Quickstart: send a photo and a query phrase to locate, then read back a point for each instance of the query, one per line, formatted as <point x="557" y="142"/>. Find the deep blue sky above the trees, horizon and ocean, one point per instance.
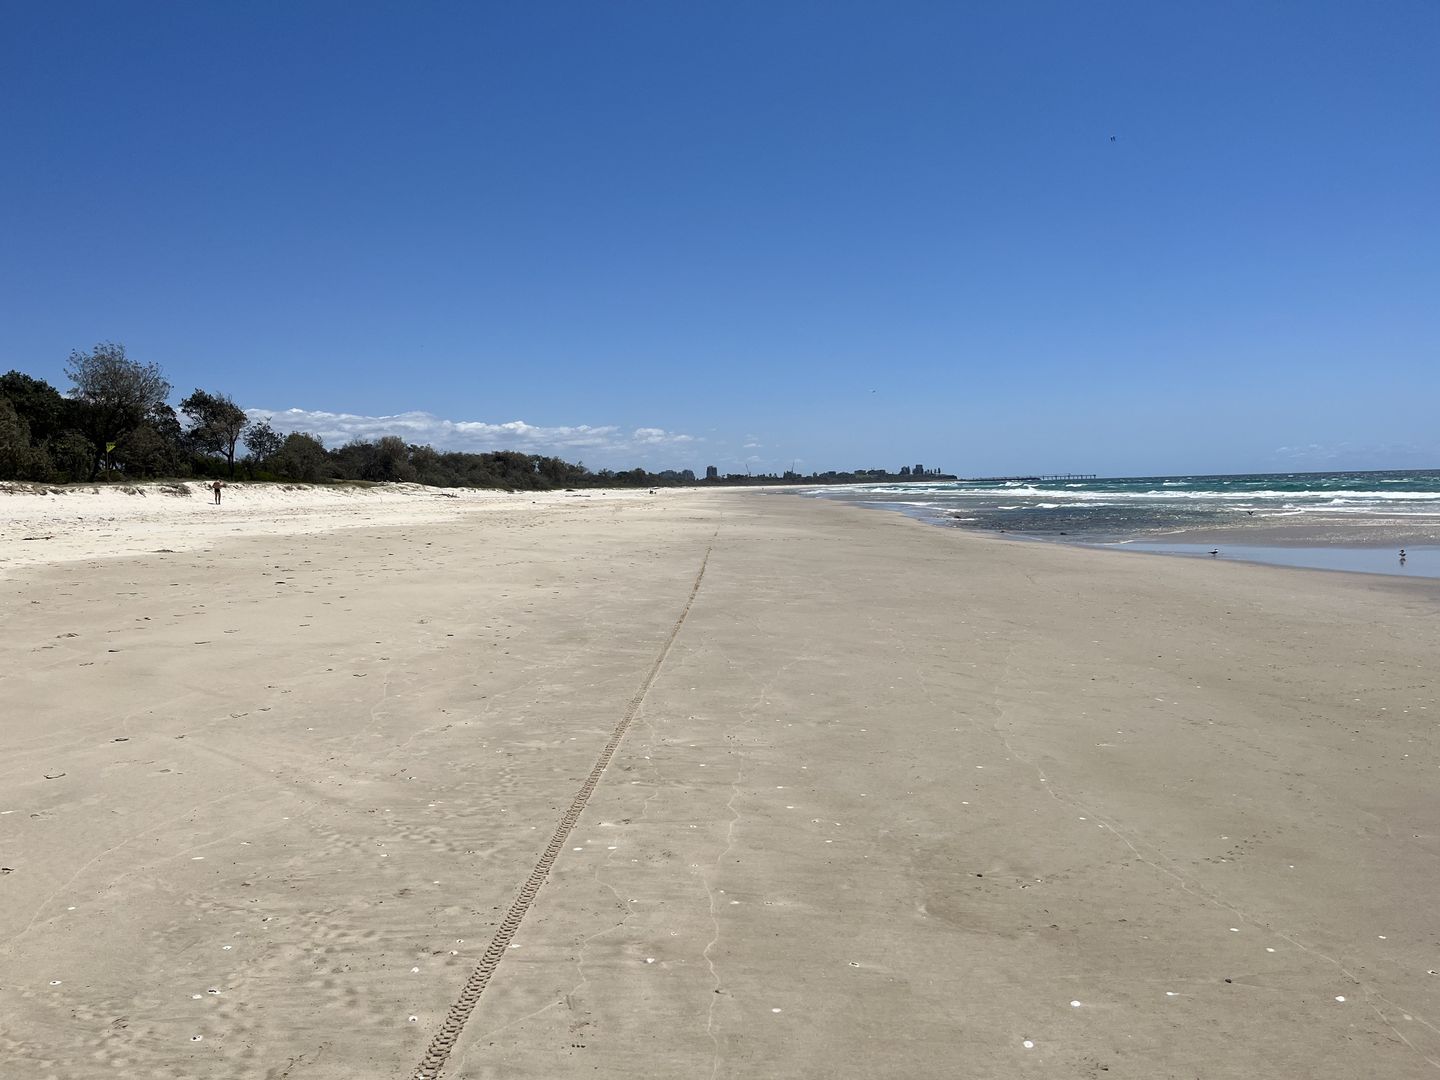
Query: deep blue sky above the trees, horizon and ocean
<point x="669" y="234"/>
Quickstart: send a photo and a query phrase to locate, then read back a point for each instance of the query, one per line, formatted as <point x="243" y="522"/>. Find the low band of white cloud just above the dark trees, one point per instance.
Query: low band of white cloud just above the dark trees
<point x="601" y="446"/>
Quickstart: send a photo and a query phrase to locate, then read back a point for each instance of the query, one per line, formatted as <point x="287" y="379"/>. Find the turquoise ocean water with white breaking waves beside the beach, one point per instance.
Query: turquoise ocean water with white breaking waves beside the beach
<point x="1264" y="510"/>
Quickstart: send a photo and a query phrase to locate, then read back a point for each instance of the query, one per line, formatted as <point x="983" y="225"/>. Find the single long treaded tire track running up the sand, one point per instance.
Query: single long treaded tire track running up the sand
<point x="446" y="1039"/>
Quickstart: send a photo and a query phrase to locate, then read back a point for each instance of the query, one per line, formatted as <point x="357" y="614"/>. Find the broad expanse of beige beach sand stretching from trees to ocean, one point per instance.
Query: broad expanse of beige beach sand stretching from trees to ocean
<point x="896" y="801"/>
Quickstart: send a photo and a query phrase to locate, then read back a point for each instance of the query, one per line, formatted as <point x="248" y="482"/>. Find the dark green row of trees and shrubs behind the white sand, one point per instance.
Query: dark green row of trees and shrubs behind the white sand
<point x="116" y="423"/>
